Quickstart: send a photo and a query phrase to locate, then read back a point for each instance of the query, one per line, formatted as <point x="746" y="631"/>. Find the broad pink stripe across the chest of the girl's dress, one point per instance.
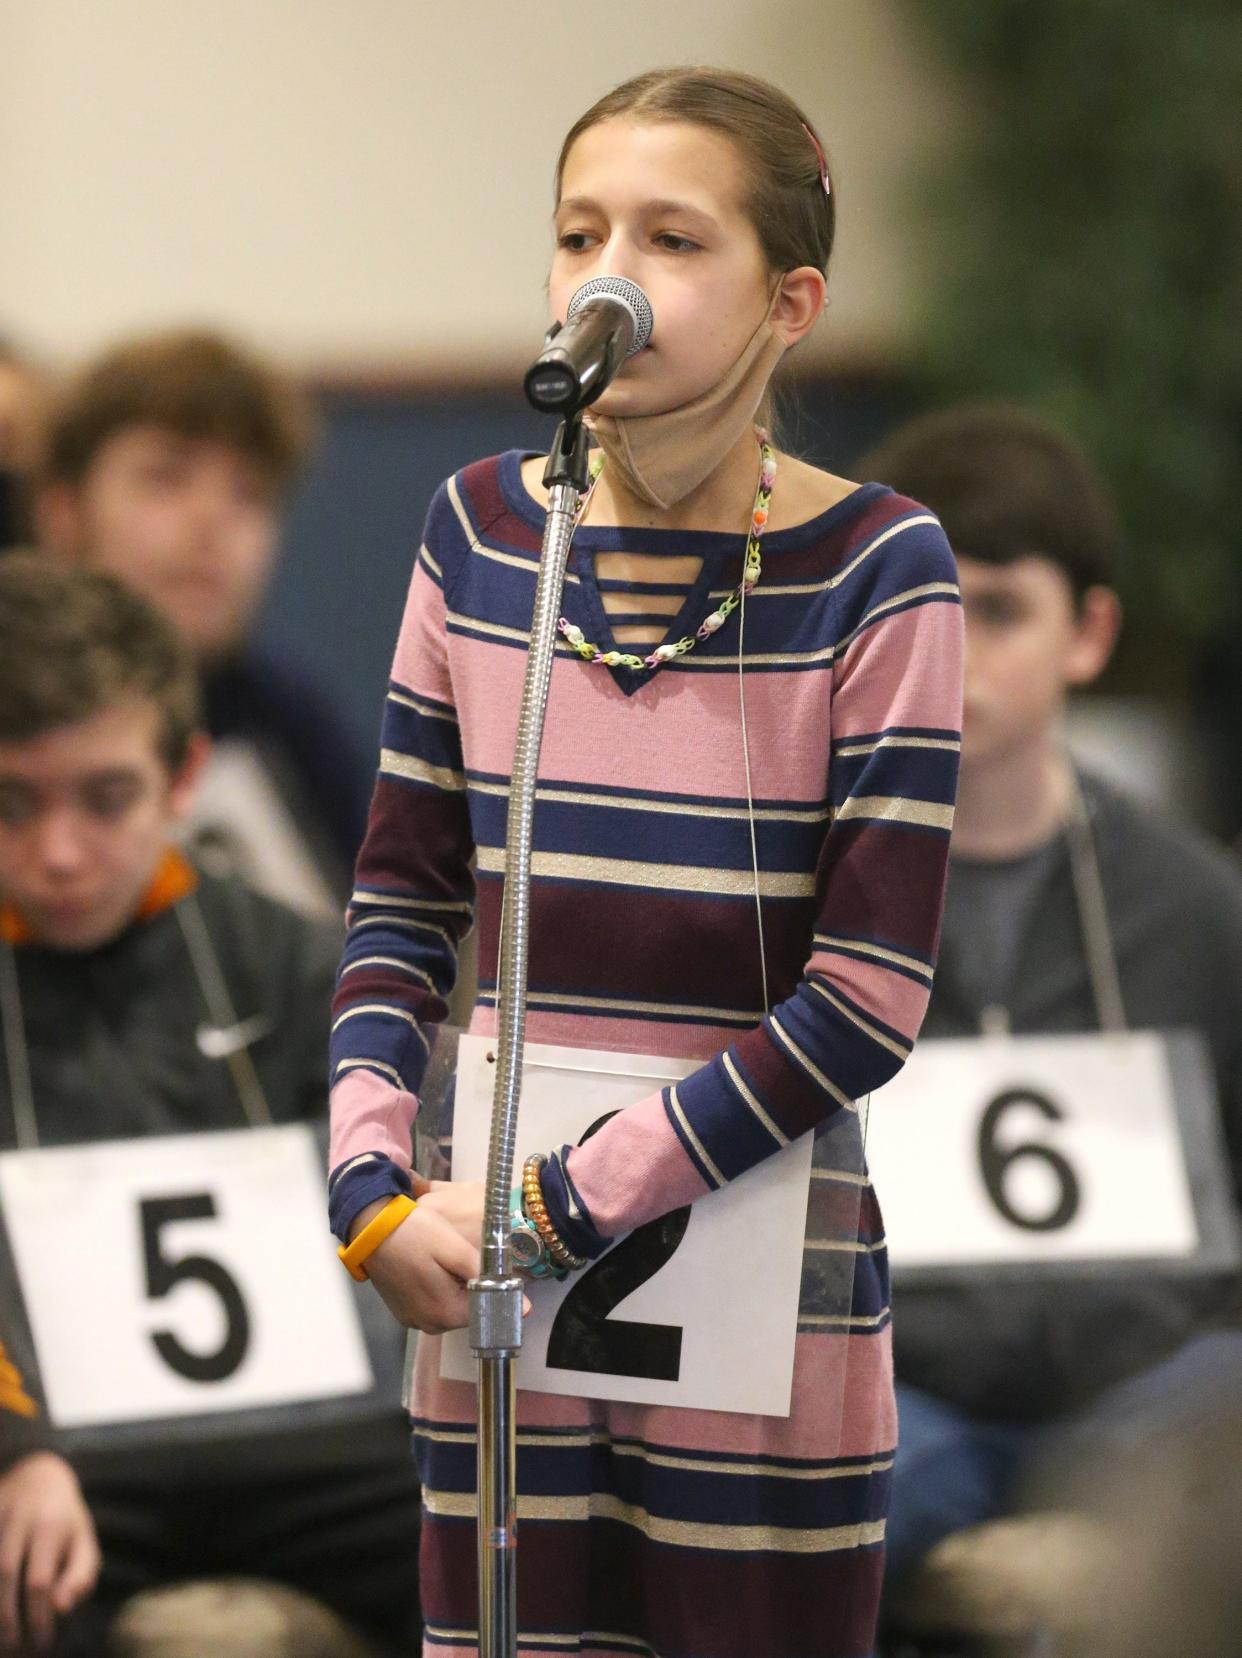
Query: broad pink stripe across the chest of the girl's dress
<point x="682" y="730"/>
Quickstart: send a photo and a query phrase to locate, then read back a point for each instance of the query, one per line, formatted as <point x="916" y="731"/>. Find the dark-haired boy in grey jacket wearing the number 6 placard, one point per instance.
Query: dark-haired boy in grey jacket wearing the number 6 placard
<point x="1065" y="899"/>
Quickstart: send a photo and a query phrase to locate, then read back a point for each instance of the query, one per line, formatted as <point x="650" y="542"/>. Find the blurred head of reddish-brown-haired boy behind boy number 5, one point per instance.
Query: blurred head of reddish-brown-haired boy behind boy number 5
<point x="167" y="465"/>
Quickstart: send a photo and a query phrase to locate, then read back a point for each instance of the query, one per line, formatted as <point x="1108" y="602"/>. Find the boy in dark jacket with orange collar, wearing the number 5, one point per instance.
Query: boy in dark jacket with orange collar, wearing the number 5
<point x="143" y="997"/>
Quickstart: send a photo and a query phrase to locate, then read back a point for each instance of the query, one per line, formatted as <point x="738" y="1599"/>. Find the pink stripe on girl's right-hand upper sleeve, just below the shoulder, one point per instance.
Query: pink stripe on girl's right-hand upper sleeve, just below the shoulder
<point x="903" y="672"/>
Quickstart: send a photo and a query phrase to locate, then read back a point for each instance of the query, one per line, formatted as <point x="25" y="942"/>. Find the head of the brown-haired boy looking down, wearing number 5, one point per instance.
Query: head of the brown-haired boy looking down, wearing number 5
<point x="99" y="750"/>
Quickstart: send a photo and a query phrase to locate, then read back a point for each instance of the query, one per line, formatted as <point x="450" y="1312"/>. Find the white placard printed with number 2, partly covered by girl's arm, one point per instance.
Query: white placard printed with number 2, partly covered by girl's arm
<point x="699" y="1309"/>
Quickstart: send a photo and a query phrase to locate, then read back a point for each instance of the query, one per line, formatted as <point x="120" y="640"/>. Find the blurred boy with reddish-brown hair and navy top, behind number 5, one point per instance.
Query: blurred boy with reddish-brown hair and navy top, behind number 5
<point x="167" y="465"/>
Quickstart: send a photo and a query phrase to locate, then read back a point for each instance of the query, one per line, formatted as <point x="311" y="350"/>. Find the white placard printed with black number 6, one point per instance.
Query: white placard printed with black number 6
<point x="1037" y="1148"/>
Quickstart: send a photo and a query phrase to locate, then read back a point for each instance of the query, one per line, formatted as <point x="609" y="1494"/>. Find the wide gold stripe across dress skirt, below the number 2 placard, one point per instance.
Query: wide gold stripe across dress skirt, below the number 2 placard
<point x="687" y="1534"/>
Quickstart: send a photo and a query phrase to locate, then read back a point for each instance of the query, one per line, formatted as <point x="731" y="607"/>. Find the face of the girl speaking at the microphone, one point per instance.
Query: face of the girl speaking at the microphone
<point x="662" y="203"/>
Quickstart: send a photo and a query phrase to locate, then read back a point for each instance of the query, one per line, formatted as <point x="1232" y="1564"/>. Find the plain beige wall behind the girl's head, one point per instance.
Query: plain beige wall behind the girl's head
<point x="366" y="183"/>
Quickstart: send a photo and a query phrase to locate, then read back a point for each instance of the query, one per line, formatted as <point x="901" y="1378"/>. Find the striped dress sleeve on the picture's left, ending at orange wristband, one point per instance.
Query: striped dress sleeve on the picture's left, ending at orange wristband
<point x="410" y="908"/>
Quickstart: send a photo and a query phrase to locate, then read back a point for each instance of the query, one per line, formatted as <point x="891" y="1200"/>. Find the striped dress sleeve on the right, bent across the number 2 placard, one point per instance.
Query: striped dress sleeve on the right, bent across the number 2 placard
<point x="880" y="890"/>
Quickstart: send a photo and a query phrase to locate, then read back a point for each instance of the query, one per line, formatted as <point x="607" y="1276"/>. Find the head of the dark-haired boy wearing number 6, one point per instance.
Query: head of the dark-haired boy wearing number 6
<point x="1036" y="538"/>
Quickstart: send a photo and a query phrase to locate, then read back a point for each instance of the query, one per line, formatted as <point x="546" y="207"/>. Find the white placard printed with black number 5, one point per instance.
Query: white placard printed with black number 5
<point x="182" y="1276"/>
